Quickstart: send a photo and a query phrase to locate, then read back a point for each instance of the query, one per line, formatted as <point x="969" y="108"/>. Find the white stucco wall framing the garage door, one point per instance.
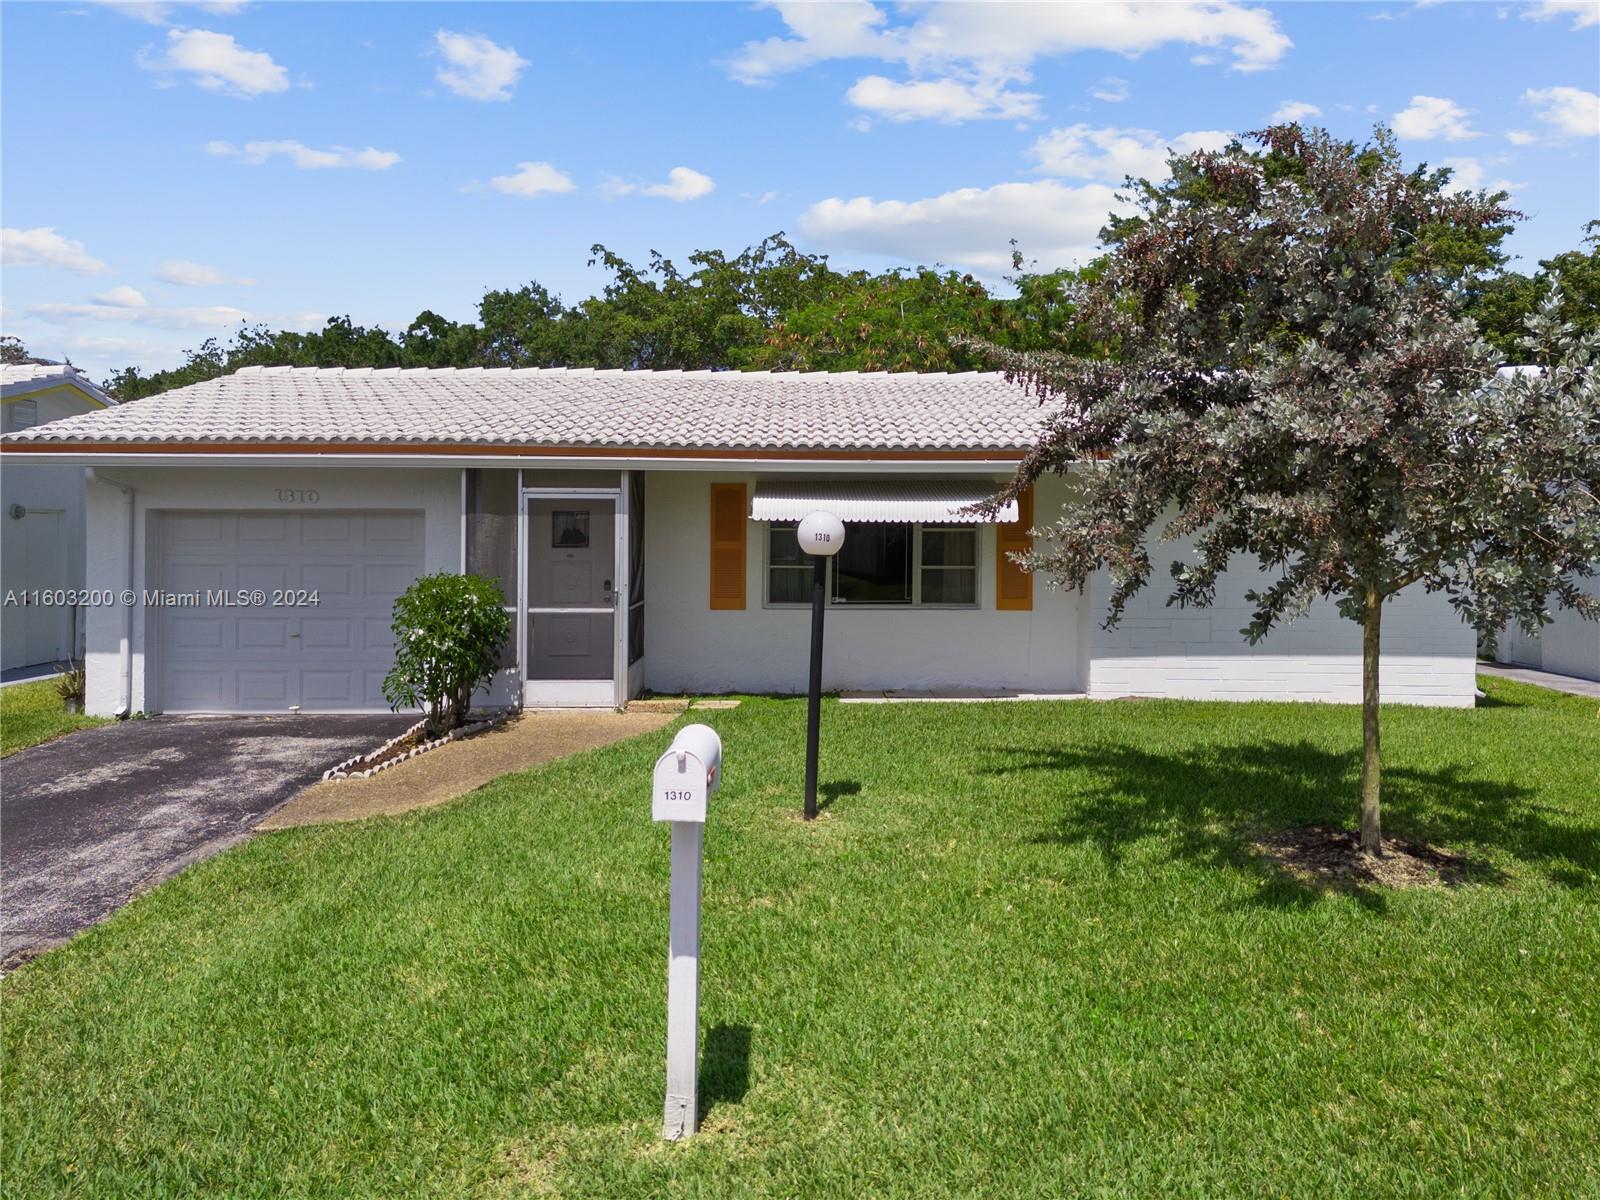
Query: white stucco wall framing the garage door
<point x="158" y="490"/>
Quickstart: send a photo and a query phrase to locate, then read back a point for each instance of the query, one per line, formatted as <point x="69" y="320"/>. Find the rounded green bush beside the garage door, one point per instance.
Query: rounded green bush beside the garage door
<point x="449" y="638"/>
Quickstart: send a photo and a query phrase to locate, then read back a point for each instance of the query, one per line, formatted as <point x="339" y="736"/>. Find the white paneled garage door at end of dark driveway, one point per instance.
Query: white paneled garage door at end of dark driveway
<point x="324" y="657"/>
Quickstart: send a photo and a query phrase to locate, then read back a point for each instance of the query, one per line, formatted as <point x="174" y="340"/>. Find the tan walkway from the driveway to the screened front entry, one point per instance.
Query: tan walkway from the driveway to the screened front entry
<point x="462" y="767"/>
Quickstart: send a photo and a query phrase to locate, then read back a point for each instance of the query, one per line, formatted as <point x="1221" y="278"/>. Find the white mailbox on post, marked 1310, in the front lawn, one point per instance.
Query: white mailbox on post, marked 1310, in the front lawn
<point x="686" y="778"/>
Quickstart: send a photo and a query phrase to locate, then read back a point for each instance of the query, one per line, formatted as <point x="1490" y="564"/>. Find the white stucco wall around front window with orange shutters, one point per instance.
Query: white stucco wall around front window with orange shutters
<point x="692" y="649"/>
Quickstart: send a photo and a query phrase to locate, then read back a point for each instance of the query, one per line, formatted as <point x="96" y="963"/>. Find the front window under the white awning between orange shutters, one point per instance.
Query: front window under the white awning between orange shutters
<point x="881" y="564"/>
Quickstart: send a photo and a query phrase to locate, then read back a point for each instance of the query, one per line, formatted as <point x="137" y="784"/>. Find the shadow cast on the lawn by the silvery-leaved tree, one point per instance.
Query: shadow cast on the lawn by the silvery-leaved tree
<point x="1215" y="801"/>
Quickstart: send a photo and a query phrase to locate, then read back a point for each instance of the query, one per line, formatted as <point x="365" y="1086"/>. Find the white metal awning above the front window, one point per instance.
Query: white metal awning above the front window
<point x="927" y="502"/>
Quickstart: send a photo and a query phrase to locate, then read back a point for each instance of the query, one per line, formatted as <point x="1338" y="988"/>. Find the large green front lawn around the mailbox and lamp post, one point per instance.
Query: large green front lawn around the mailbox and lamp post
<point x="1026" y="951"/>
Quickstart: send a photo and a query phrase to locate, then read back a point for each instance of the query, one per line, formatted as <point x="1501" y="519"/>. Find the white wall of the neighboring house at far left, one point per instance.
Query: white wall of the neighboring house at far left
<point x="52" y="495"/>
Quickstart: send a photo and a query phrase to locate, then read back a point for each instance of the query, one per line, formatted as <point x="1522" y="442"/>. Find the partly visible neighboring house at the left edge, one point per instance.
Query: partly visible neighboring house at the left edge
<point x="41" y="516"/>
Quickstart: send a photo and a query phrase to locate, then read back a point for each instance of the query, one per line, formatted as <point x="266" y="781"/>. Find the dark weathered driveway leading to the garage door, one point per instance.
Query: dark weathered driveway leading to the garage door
<point x="94" y="817"/>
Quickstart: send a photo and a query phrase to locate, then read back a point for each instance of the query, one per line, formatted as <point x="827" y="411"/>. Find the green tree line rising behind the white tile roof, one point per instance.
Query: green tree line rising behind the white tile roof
<point x="778" y="308"/>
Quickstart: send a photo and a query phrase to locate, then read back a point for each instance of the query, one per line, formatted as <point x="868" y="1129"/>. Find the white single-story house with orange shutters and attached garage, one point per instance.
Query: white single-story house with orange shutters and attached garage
<point x="642" y="529"/>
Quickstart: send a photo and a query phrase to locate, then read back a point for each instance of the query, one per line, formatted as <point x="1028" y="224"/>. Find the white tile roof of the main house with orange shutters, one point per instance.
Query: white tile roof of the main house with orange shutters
<point x="580" y="409"/>
